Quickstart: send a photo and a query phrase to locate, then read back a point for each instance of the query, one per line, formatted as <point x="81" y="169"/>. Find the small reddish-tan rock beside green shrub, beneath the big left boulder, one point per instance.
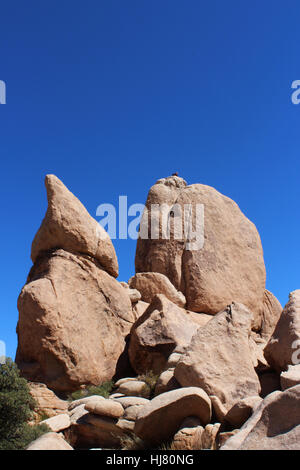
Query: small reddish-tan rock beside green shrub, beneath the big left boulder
<point x="46" y="400"/>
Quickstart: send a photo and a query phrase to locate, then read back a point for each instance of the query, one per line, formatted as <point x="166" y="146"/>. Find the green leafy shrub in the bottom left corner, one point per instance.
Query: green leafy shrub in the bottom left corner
<point x="16" y="406"/>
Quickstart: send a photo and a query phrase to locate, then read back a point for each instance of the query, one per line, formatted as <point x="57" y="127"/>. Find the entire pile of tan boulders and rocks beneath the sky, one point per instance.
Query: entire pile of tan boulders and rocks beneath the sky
<point x="225" y="353"/>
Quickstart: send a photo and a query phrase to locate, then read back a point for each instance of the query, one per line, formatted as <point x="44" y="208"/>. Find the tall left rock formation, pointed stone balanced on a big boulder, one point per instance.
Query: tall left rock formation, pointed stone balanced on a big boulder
<point x="73" y="315"/>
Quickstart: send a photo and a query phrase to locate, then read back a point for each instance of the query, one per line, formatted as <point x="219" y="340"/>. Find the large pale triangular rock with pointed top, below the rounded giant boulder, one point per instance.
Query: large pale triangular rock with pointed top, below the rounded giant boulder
<point x="218" y="360"/>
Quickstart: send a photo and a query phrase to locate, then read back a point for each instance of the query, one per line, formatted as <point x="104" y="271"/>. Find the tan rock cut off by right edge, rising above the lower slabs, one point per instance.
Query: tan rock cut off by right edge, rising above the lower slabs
<point x="283" y="349"/>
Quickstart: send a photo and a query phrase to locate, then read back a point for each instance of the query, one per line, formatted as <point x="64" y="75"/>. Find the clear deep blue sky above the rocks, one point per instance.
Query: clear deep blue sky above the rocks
<point x="112" y="95"/>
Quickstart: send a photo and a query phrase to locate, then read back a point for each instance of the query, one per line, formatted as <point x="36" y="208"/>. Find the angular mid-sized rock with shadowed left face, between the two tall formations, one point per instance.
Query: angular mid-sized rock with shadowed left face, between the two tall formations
<point x="163" y="327"/>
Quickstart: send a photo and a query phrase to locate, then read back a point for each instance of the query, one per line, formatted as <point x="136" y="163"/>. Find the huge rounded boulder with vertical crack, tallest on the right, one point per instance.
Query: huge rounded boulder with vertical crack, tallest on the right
<point x="228" y="266"/>
